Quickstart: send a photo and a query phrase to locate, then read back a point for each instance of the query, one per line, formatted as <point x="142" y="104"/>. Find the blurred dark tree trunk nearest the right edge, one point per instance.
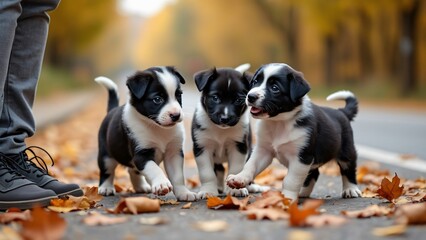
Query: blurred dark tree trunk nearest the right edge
<point x="408" y="44"/>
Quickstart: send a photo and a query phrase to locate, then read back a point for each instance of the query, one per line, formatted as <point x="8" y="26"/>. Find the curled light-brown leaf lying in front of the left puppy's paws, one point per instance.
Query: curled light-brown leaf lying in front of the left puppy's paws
<point x="136" y="205"/>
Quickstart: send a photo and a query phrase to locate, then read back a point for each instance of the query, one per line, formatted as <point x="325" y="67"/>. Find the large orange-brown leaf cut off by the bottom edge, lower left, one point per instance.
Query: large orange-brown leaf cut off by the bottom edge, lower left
<point x="43" y="225"/>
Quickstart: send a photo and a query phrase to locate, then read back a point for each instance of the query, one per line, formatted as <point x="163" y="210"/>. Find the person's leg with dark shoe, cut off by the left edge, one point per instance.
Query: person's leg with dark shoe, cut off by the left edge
<point x="15" y="190"/>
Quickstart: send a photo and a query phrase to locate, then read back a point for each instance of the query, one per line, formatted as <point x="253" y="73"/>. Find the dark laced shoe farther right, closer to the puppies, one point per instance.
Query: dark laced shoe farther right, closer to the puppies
<point x="39" y="175"/>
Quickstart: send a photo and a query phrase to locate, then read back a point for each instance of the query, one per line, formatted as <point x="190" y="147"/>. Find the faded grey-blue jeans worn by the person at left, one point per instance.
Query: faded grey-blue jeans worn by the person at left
<point x="23" y="33"/>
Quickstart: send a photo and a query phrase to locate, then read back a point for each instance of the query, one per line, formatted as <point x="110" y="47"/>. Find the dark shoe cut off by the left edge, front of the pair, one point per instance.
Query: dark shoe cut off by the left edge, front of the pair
<point x="18" y="192"/>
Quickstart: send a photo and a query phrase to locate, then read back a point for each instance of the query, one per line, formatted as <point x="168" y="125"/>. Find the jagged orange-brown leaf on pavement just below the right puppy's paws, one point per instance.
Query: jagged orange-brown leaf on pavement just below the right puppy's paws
<point x="298" y="216"/>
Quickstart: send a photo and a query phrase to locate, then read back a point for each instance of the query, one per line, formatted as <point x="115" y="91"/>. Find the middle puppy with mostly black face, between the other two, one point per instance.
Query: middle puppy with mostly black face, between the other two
<point x="221" y="128"/>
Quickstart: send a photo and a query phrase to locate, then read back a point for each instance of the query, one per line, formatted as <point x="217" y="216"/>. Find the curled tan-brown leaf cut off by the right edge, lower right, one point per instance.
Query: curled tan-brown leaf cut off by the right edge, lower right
<point x="411" y="214"/>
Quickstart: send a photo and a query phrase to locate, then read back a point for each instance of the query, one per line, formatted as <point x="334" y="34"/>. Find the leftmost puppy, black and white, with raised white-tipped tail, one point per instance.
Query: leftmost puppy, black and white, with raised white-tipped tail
<point x="143" y="132"/>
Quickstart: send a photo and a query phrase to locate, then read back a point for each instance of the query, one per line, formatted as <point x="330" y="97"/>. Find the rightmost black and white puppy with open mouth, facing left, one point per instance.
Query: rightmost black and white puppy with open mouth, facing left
<point x="300" y="134"/>
